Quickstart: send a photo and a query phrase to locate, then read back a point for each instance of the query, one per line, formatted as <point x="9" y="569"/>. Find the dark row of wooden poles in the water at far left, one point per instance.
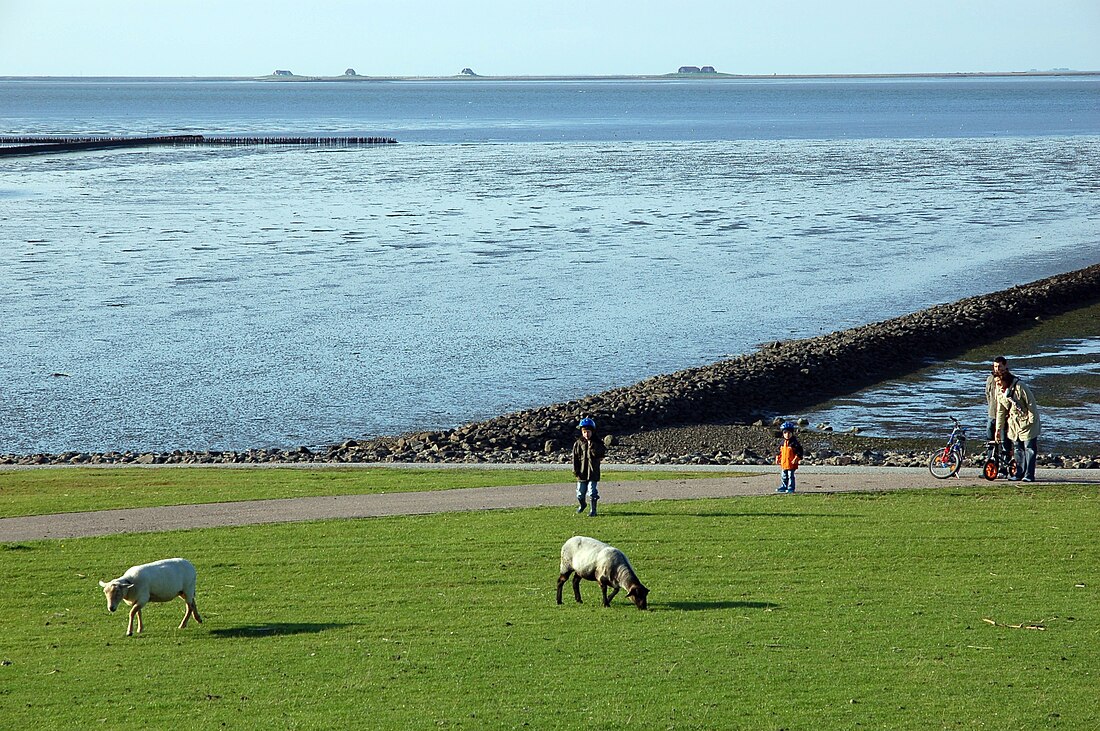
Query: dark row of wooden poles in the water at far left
<point x="34" y="146"/>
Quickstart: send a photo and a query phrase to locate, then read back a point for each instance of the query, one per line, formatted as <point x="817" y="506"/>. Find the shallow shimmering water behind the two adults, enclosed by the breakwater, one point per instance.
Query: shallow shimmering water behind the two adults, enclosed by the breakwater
<point x="1064" y="374"/>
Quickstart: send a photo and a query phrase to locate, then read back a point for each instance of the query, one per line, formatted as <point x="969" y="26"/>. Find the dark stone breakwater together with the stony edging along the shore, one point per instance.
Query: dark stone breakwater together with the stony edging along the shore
<point x="783" y="378"/>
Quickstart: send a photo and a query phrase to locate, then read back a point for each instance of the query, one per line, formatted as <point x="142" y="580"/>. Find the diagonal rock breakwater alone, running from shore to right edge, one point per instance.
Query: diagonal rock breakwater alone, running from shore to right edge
<point x="782" y="378"/>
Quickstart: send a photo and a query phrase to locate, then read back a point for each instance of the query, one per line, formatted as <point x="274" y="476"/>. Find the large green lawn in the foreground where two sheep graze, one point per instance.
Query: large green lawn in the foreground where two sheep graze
<point x="813" y="612"/>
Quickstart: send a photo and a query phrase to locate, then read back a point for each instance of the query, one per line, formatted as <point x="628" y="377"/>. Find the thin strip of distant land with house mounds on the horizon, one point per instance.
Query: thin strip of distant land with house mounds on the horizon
<point x="718" y="76"/>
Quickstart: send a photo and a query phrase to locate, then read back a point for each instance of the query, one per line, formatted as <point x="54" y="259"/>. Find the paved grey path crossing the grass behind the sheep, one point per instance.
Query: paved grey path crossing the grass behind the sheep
<point x="221" y="515"/>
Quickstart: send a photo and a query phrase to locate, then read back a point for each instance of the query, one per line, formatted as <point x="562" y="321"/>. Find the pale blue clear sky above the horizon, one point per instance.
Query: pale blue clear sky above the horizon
<point x="564" y="38"/>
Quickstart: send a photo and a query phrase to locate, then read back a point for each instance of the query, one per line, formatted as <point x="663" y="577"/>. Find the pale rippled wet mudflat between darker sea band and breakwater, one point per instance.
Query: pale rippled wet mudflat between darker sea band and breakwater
<point x="194" y="298"/>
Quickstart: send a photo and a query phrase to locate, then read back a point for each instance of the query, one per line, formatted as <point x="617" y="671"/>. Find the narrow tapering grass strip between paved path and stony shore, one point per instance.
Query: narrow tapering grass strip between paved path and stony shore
<point x="46" y="492"/>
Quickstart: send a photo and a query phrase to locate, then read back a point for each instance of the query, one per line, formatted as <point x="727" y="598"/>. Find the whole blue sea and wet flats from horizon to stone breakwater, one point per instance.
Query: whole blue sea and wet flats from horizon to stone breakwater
<point x="524" y="243"/>
